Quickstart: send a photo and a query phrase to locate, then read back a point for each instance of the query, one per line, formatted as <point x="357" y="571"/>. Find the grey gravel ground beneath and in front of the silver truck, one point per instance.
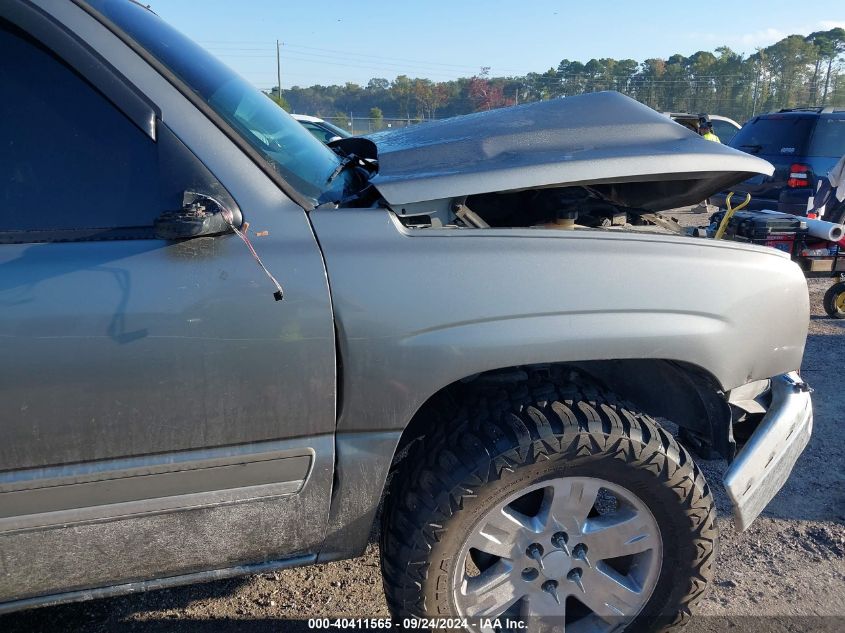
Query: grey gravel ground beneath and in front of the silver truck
<point x="786" y="573"/>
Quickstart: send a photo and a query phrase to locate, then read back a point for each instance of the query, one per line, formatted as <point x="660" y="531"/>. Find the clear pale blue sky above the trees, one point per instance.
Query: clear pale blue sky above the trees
<point x="332" y="42"/>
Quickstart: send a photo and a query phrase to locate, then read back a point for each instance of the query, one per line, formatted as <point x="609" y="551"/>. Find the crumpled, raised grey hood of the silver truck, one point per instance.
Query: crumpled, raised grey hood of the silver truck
<point x="620" y="148"/>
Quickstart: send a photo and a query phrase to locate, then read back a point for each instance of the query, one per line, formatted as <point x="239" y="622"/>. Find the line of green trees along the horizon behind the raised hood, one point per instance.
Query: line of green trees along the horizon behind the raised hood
<point x="797" y="71"/>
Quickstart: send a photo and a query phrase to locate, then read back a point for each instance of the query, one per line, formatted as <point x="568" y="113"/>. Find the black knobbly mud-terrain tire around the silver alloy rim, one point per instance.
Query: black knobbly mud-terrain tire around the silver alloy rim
<point x="504" y="438"/>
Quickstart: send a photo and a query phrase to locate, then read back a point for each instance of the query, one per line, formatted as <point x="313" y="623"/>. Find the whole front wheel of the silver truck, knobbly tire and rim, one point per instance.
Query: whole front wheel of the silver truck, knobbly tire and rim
<point x="555" y="506"/>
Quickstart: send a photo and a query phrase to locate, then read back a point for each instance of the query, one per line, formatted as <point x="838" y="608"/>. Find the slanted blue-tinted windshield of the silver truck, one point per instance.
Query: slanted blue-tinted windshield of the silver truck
<point x="304" y="162"/>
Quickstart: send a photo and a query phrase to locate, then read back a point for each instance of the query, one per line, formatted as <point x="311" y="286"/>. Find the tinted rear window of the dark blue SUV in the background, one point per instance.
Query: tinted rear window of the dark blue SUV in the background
<point x="775" y="135"/>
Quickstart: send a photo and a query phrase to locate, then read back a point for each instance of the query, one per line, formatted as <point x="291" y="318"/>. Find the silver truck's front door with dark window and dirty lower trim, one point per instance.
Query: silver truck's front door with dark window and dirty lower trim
<point x="161" y="413"/>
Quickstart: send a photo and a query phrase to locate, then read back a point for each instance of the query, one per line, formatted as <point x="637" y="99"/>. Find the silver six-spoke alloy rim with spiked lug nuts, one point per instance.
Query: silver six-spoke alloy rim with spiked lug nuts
<point x="574" y="553"/>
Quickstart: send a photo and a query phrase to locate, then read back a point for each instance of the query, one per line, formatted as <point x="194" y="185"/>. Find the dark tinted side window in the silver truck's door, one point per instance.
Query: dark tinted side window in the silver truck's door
<point x="70" y="159"/>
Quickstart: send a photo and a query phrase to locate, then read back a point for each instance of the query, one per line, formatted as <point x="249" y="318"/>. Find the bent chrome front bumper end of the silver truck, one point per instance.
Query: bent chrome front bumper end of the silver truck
<point x="765" y="462"/>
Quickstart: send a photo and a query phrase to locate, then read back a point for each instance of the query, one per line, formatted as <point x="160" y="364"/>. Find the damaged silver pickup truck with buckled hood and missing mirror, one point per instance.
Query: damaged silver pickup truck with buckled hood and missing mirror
<point x="226" y="345"/>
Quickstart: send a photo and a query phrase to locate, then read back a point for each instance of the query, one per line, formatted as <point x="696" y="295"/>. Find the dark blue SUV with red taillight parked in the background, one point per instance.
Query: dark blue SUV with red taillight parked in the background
<point x="802" y="143"/>
